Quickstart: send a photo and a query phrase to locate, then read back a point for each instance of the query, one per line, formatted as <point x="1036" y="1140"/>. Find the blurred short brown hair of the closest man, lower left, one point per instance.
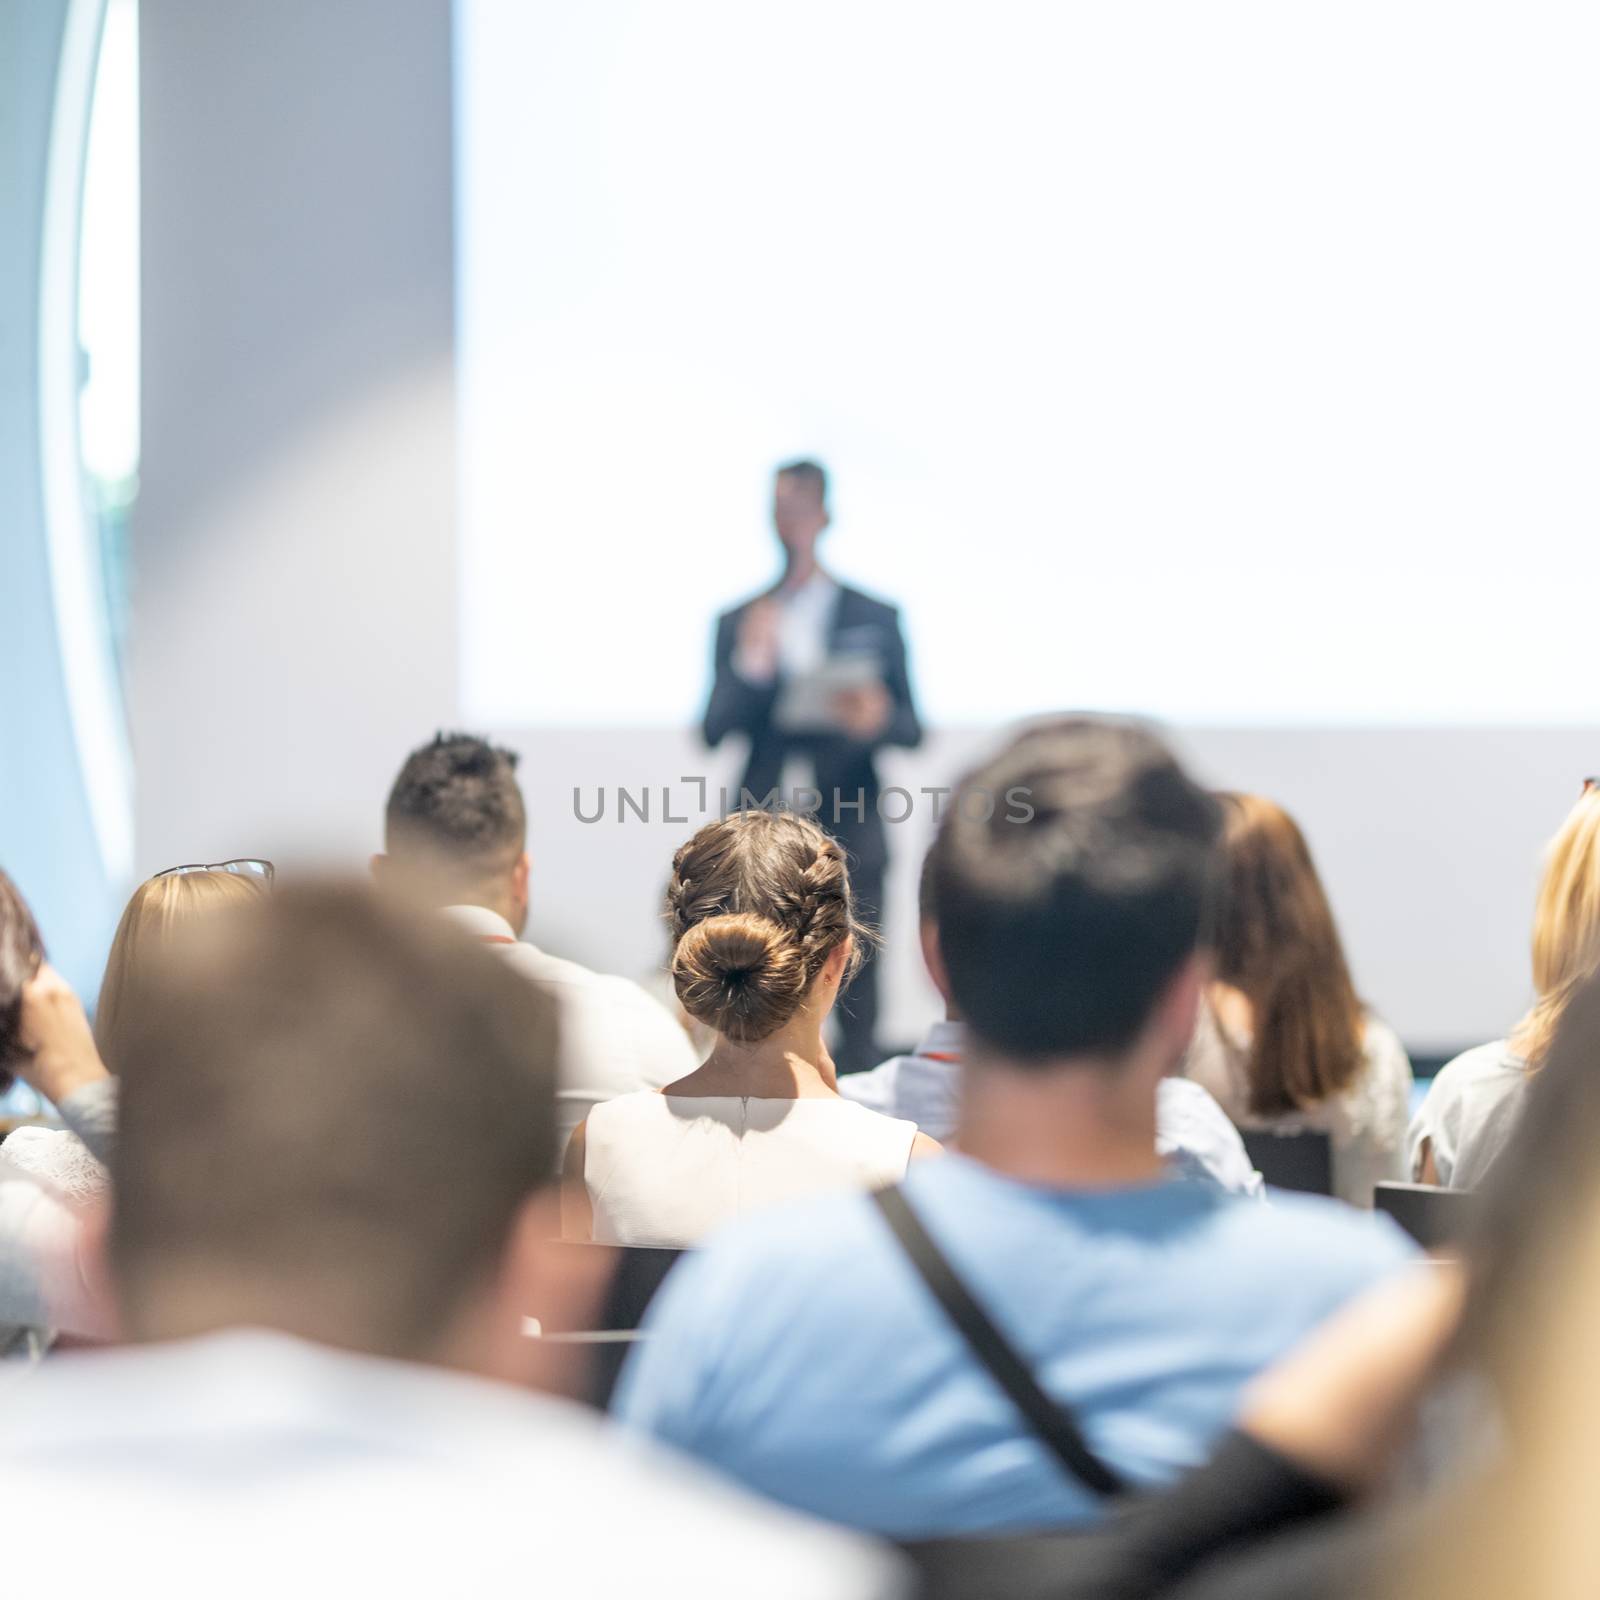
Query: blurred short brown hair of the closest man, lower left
<point x="332" y="1116"/>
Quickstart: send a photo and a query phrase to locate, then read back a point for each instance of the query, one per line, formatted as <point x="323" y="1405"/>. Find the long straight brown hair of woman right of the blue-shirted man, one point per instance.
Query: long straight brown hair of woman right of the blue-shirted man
<point x="1278" y="945"/>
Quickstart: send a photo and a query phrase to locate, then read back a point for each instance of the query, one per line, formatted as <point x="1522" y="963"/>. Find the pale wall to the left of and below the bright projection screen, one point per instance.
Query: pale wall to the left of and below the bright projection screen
<point x="295" y="625"/>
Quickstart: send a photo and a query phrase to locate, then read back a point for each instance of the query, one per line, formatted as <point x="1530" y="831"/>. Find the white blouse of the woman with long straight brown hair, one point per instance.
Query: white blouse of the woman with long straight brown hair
<point x="1366" y="1126"/>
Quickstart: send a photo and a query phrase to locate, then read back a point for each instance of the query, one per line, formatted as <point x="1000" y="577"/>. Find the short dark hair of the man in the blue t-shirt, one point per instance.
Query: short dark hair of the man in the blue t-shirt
<point x="1071" y="879"/>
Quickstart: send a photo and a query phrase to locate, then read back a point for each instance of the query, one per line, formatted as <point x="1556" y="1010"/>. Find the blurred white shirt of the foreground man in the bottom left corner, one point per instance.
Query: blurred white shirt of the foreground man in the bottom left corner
<point x="254" y="1463"/>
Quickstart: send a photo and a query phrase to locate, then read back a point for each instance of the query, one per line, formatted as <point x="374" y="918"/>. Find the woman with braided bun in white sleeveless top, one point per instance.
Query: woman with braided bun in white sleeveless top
<point x="764" y="937"/>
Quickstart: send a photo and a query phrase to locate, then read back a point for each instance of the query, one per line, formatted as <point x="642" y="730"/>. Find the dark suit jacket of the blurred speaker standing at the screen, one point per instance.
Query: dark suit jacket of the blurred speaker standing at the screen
<point x="844" y="766"/>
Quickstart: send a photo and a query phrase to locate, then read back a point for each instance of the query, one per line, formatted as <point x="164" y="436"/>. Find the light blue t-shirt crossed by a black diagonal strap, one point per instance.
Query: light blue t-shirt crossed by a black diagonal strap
<point x="804" y="1356"/>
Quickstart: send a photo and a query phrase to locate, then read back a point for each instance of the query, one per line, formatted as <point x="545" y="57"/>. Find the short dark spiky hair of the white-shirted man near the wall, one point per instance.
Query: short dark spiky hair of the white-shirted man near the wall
<point x="458" y="802"/>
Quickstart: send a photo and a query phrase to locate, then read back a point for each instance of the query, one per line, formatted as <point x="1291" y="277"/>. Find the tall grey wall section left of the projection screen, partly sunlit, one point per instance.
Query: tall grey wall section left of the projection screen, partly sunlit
<point x="294" y="540"/>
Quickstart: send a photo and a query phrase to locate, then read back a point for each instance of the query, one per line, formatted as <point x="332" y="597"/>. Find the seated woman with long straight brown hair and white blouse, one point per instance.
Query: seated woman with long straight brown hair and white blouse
<point x="1284" y="1042"/>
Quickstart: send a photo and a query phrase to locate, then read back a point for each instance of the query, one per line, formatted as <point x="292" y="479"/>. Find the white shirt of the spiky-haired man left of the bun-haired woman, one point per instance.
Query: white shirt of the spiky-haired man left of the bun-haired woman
<point x="615" y="1038"/>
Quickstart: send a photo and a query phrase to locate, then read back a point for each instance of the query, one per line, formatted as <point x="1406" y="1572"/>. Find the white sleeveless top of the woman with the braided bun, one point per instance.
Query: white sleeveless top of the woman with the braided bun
<point x="668" y="1169"/>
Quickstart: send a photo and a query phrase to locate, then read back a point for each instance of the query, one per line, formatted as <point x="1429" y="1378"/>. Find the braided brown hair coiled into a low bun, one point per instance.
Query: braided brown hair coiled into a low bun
<point x="758" y="903"/>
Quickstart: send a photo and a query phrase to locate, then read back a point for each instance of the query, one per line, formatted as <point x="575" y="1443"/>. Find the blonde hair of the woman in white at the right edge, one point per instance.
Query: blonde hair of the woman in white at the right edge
<point x="1566" y="927"/>
